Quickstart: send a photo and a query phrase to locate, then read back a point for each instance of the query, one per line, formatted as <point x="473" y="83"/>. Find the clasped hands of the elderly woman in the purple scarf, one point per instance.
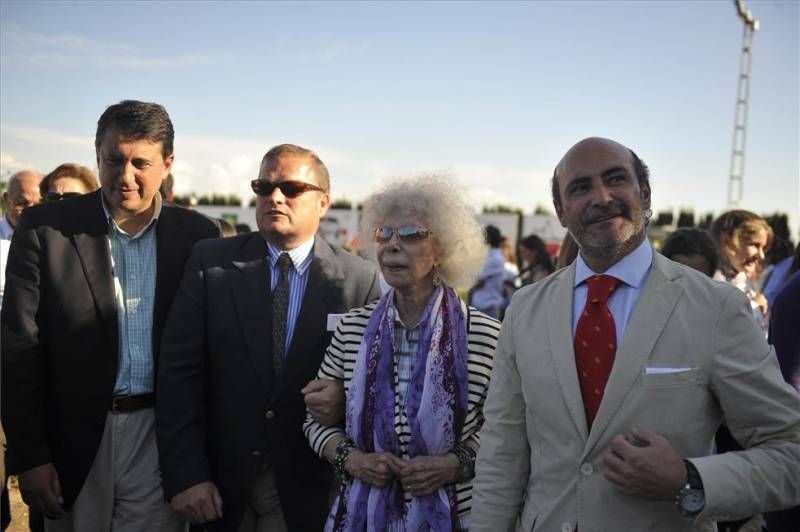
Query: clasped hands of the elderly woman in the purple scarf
<point x="421" y="475"/>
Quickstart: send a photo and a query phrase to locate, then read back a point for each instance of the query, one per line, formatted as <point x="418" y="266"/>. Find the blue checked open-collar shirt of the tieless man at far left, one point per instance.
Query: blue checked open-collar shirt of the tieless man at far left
<point x="133" y="262"/>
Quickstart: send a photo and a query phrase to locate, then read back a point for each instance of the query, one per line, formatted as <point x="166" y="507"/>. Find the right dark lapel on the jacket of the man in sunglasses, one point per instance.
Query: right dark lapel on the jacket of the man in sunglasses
<point x="323" y="290"/>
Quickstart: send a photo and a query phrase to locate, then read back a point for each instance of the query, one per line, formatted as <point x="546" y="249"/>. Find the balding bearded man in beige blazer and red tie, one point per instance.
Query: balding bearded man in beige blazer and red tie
<point x="569" y="445"/>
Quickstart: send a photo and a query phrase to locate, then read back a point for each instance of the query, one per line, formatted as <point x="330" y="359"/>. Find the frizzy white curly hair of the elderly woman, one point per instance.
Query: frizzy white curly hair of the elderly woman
<point x="440" y="203"/>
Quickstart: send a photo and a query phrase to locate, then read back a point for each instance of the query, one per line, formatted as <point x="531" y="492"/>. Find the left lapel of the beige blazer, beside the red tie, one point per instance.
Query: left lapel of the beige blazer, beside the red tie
<point x="562" y="351"/>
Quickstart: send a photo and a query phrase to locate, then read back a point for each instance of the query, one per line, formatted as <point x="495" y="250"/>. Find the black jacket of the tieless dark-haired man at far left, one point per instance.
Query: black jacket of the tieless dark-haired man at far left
<point x="59" y="329"/>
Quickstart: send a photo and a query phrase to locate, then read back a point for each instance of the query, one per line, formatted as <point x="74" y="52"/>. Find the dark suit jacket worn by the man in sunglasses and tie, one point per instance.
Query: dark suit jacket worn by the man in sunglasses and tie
<point x="221" y="410"/>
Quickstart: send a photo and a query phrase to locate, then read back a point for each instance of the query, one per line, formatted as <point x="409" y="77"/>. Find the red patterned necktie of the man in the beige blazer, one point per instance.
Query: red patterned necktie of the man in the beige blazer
<point x="595" y="343"/>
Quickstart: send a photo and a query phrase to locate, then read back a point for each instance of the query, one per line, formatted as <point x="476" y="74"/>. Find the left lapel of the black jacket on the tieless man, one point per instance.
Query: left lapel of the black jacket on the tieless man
<point x="90" y="237"/>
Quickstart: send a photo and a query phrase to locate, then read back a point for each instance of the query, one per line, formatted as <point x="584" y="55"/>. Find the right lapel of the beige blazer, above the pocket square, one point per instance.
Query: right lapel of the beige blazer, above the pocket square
<point x="648" y="319"/>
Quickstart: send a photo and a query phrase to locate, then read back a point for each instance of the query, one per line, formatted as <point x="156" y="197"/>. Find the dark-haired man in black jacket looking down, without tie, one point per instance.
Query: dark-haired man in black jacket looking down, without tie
<point x="78" y="360"/>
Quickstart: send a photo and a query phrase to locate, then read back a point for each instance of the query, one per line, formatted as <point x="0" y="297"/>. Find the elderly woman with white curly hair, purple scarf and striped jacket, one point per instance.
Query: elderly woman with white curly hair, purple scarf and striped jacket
<point x="415" y="366"/>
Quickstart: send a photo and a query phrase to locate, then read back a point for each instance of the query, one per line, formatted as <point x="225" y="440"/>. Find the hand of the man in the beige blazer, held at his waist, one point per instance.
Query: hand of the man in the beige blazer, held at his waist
<point x="646" y="467"/>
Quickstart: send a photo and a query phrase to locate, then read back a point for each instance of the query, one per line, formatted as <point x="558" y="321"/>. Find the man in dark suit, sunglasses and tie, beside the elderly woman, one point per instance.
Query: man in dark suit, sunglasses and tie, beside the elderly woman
<point x="230" y="409"/>
